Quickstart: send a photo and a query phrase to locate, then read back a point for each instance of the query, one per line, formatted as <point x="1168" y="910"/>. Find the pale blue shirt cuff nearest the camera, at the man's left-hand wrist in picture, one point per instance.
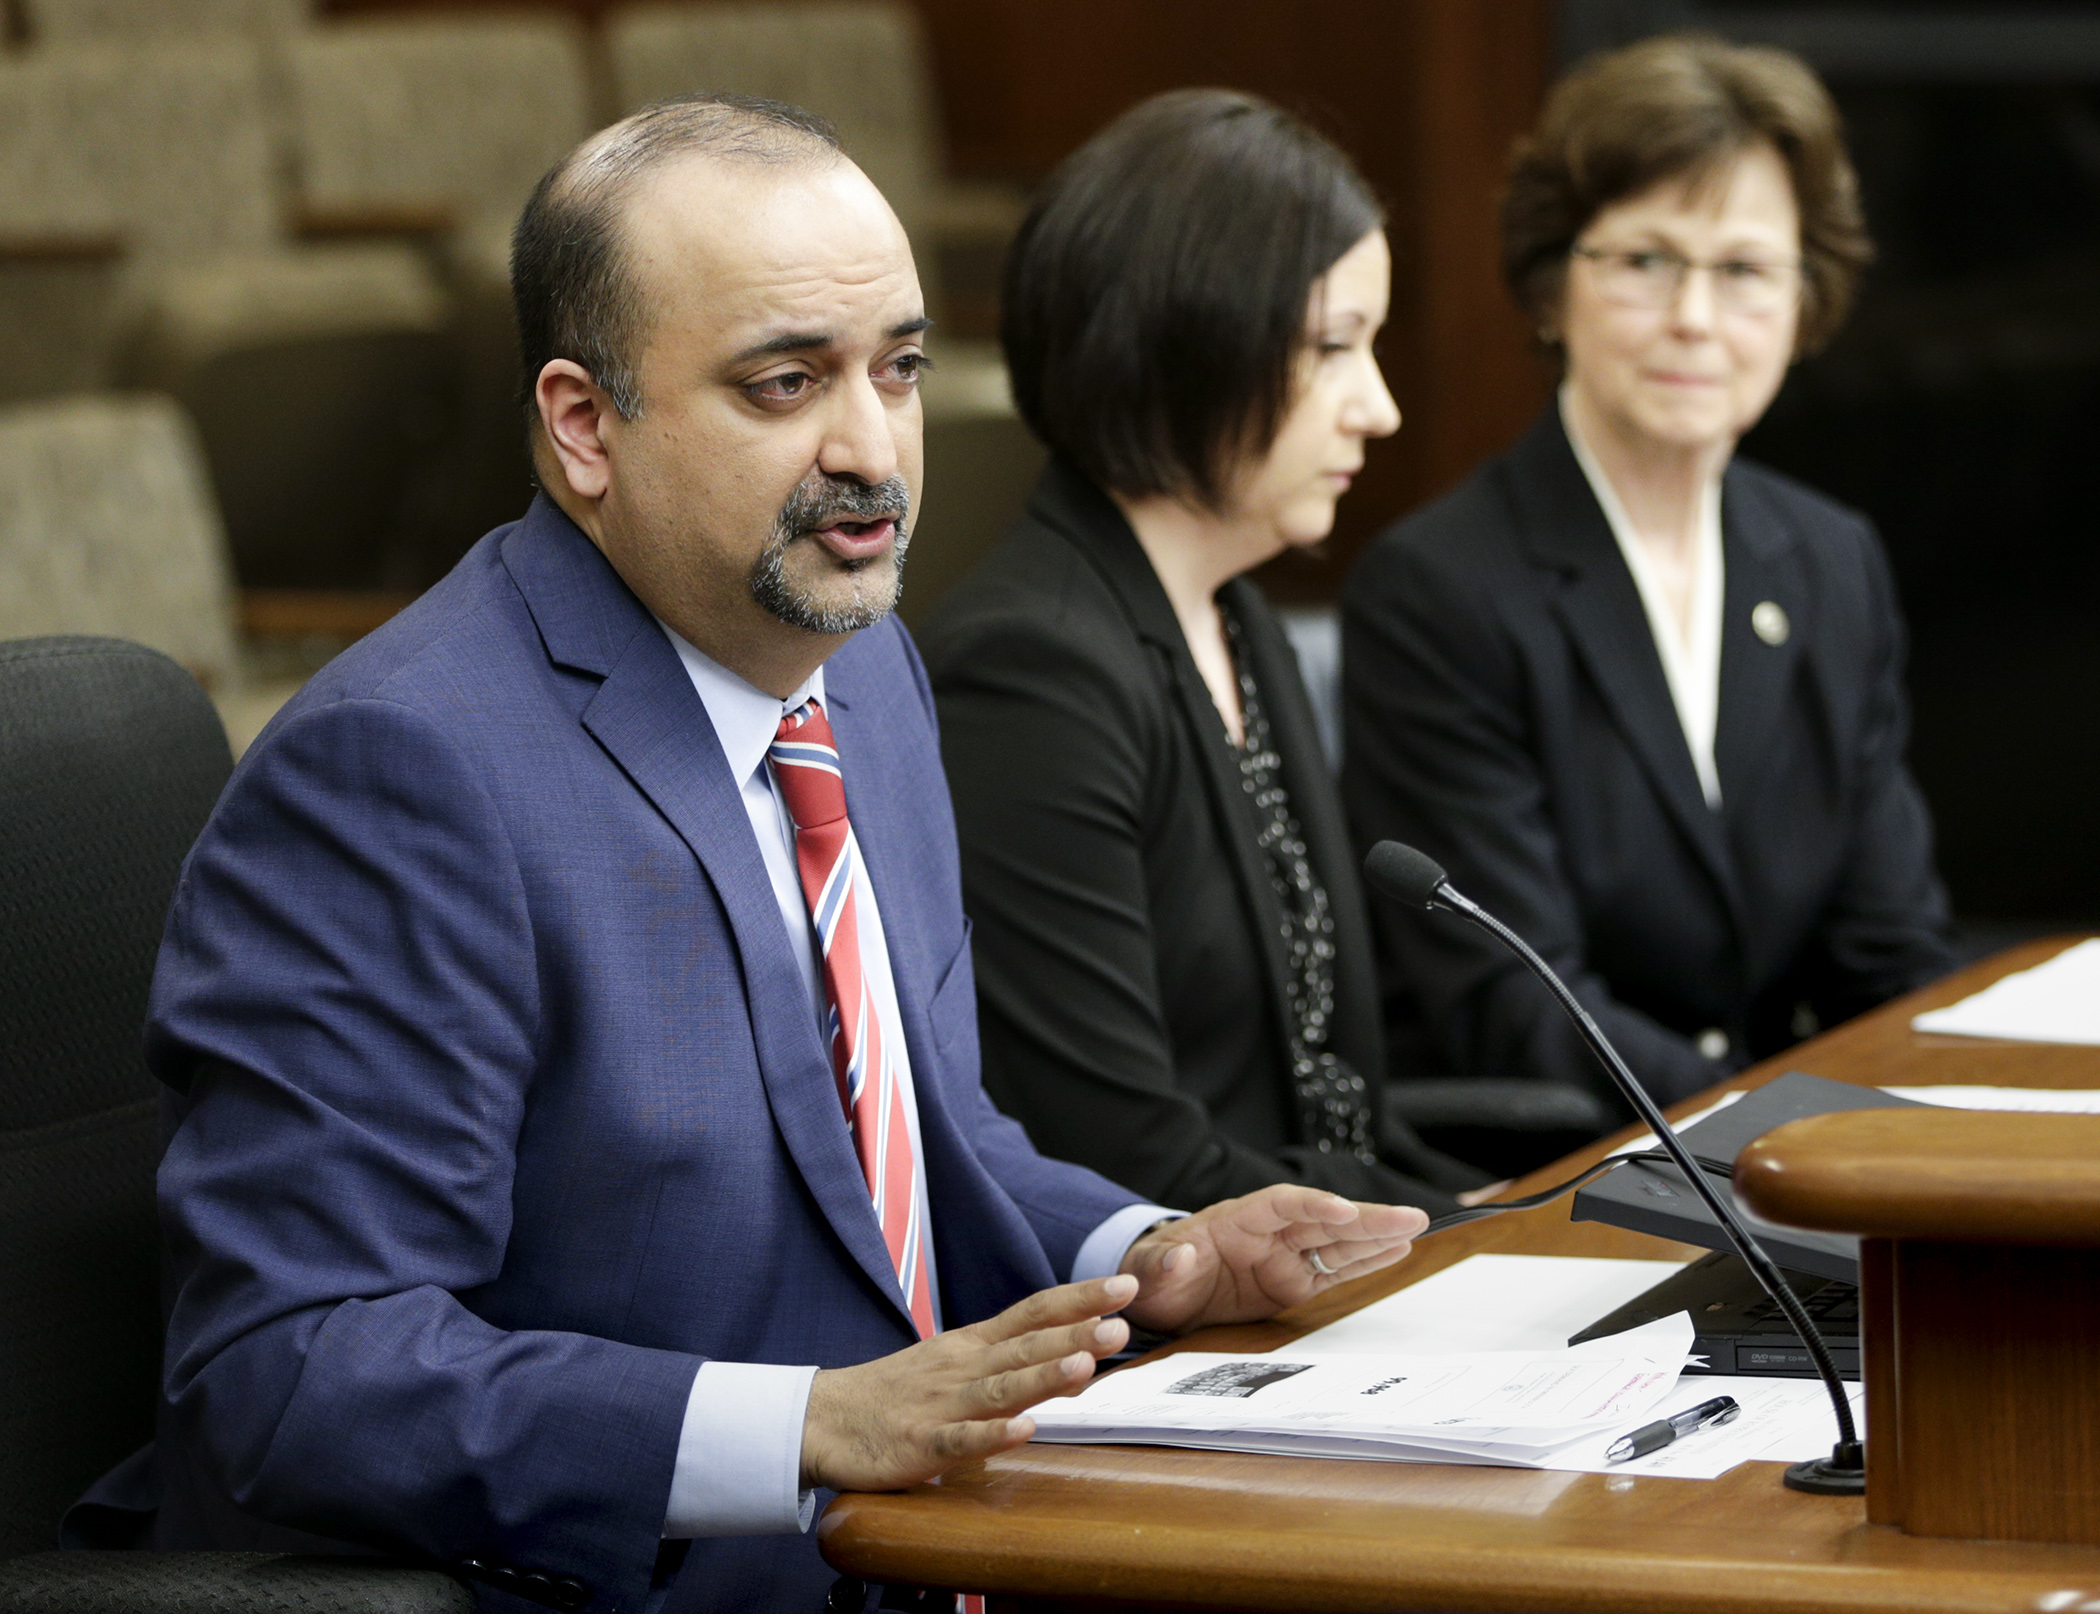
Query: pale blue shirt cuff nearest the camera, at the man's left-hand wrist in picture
<point x="740" y="1453"/>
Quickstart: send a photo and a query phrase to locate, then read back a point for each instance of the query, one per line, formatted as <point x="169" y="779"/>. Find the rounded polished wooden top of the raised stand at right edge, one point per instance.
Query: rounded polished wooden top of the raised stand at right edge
<point x="1931" y="1174"/>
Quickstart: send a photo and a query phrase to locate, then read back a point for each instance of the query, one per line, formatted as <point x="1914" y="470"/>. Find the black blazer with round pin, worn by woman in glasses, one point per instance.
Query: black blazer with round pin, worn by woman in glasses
<point x="1507" y="713"/>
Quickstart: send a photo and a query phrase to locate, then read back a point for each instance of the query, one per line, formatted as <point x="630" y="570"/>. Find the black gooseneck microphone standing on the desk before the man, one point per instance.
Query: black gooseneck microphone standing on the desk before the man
<point x="1412" y="878"/>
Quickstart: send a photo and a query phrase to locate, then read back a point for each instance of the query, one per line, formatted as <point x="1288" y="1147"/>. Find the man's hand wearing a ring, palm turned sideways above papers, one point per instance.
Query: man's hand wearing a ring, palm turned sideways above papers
<point x="1248" y="1258"/>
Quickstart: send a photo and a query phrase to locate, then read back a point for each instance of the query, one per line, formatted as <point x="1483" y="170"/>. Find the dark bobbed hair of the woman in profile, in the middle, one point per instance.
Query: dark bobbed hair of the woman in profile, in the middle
<point x="1156" y="295"/>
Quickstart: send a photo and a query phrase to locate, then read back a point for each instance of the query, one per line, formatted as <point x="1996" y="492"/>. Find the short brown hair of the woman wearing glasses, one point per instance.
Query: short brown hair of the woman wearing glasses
<point x="1683" y="106"/>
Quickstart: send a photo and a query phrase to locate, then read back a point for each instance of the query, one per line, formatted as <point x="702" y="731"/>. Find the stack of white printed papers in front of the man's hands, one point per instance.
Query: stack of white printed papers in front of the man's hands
<point x="1511" y="1409"/>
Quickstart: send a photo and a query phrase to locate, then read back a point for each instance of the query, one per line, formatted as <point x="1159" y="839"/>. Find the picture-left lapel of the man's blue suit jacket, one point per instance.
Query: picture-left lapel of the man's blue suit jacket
<point x="656" y="727"/>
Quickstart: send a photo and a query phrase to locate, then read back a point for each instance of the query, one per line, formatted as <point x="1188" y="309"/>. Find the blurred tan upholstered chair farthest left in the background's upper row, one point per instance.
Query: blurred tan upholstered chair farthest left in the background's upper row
<point x="150" y="177"/>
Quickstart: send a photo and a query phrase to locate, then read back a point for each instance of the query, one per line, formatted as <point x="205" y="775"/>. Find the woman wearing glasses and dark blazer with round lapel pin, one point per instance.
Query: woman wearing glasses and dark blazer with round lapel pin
<point x="1641" y="698"/>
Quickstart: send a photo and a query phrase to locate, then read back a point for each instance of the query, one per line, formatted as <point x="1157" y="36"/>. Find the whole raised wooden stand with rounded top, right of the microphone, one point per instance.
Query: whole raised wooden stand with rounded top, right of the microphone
<point x="1981" y="1279"/>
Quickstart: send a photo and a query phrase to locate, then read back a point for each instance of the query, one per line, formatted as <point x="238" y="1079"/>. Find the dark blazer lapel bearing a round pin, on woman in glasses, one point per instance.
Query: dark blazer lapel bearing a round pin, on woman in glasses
<point x="1755" y="673"/>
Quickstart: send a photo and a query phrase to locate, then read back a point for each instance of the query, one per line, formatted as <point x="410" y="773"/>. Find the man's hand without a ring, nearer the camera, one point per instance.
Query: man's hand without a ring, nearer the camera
<point x="952" y="1399"/>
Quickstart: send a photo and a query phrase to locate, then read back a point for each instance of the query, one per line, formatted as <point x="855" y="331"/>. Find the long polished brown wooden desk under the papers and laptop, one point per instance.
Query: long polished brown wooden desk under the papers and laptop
<point x="1125" y="1527"/>
